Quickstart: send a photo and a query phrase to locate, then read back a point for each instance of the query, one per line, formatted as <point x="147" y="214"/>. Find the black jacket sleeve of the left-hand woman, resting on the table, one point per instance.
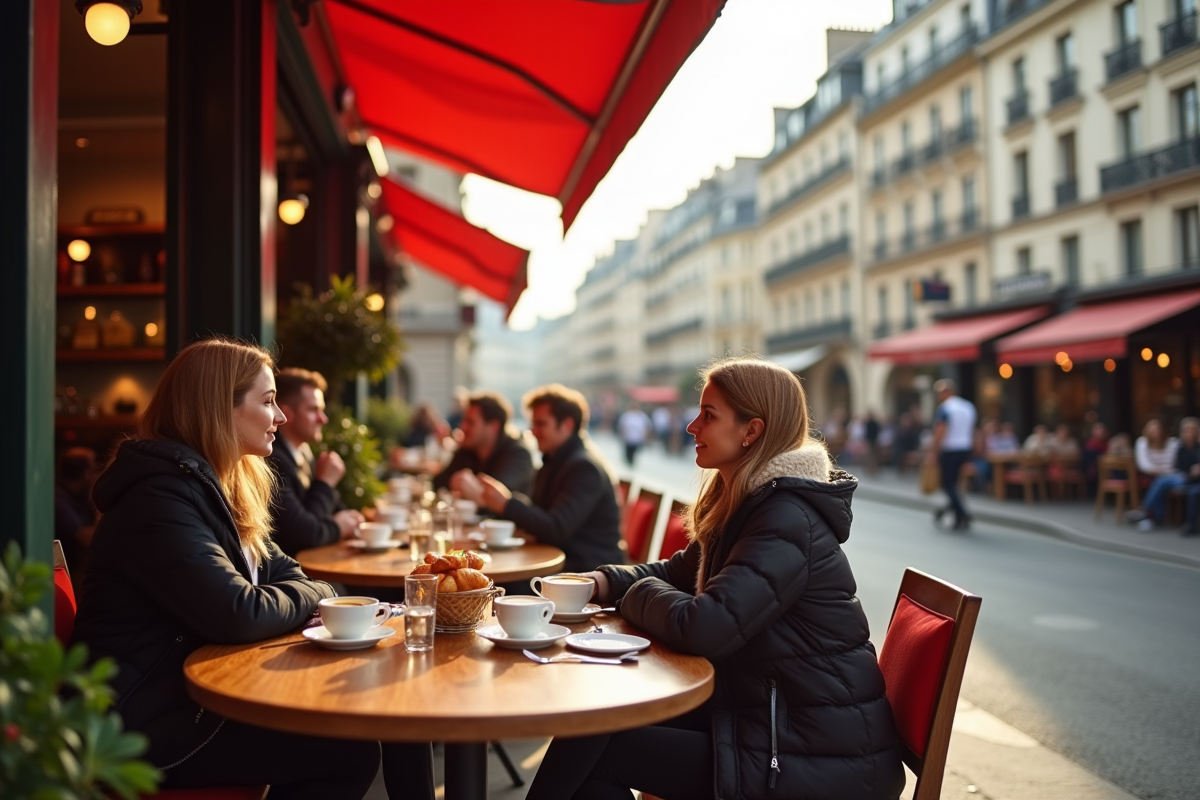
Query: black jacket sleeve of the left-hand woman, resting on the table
<point x="176" y="558"/>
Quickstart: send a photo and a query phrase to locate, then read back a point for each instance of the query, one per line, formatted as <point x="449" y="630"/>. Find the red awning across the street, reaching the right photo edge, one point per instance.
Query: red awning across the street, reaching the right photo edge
<point x="1093" y="333"/>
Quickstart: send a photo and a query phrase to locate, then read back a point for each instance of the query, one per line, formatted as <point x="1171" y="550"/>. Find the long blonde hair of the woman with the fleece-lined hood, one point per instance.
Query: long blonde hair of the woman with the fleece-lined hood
<point x="755" y="389"/>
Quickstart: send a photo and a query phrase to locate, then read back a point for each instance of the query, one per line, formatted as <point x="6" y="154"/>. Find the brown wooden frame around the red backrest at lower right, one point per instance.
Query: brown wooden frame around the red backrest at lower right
<point x="963" y="607"/>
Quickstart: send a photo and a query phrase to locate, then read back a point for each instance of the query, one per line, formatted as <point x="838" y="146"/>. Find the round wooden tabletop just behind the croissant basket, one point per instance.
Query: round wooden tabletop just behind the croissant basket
<point x="347" y="566"/>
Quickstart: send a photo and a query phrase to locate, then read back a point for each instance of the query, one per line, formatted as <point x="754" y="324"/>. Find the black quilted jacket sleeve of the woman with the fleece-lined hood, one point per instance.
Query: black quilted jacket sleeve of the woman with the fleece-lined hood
<point x="766" y="573"/>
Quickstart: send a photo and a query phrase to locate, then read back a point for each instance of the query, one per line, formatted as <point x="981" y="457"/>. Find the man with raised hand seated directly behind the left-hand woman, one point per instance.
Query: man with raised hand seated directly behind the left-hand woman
<point x="307" y="510"/>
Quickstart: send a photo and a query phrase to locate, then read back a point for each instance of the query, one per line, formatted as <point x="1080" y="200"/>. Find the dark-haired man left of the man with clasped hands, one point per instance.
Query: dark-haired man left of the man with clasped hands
<point x="489" y="447"/>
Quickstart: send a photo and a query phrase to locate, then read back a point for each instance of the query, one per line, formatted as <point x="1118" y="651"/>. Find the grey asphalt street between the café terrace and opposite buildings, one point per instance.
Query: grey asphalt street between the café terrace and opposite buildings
<point x="1093" y="654"/>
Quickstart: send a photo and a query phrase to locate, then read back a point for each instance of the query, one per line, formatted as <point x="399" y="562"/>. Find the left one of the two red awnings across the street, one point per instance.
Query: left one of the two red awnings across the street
<point x="953" y="340"/>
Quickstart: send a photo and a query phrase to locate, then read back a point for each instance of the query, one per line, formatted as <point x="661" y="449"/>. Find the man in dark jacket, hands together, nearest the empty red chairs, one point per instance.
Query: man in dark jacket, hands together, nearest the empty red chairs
<point x="574" y="504"/>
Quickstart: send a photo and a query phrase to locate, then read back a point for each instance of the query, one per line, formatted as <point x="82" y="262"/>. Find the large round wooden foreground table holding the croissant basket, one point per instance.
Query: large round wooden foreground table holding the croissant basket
<point x="465" y="693"/>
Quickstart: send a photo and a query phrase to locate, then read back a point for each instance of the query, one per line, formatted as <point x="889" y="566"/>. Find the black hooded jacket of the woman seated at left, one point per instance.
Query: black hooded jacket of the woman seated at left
<point x="167" y="576"/>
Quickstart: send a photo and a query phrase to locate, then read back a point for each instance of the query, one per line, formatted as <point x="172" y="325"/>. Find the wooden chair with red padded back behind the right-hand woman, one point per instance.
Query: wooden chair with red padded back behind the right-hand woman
<point x="923" y="658"/>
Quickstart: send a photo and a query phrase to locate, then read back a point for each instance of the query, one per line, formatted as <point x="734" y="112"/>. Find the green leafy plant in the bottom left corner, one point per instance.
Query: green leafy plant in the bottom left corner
<point x="59" y="737"/>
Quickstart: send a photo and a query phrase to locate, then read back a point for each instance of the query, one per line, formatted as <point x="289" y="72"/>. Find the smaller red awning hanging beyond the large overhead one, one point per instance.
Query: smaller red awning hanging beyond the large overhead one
<point x="445" y="242"/>
